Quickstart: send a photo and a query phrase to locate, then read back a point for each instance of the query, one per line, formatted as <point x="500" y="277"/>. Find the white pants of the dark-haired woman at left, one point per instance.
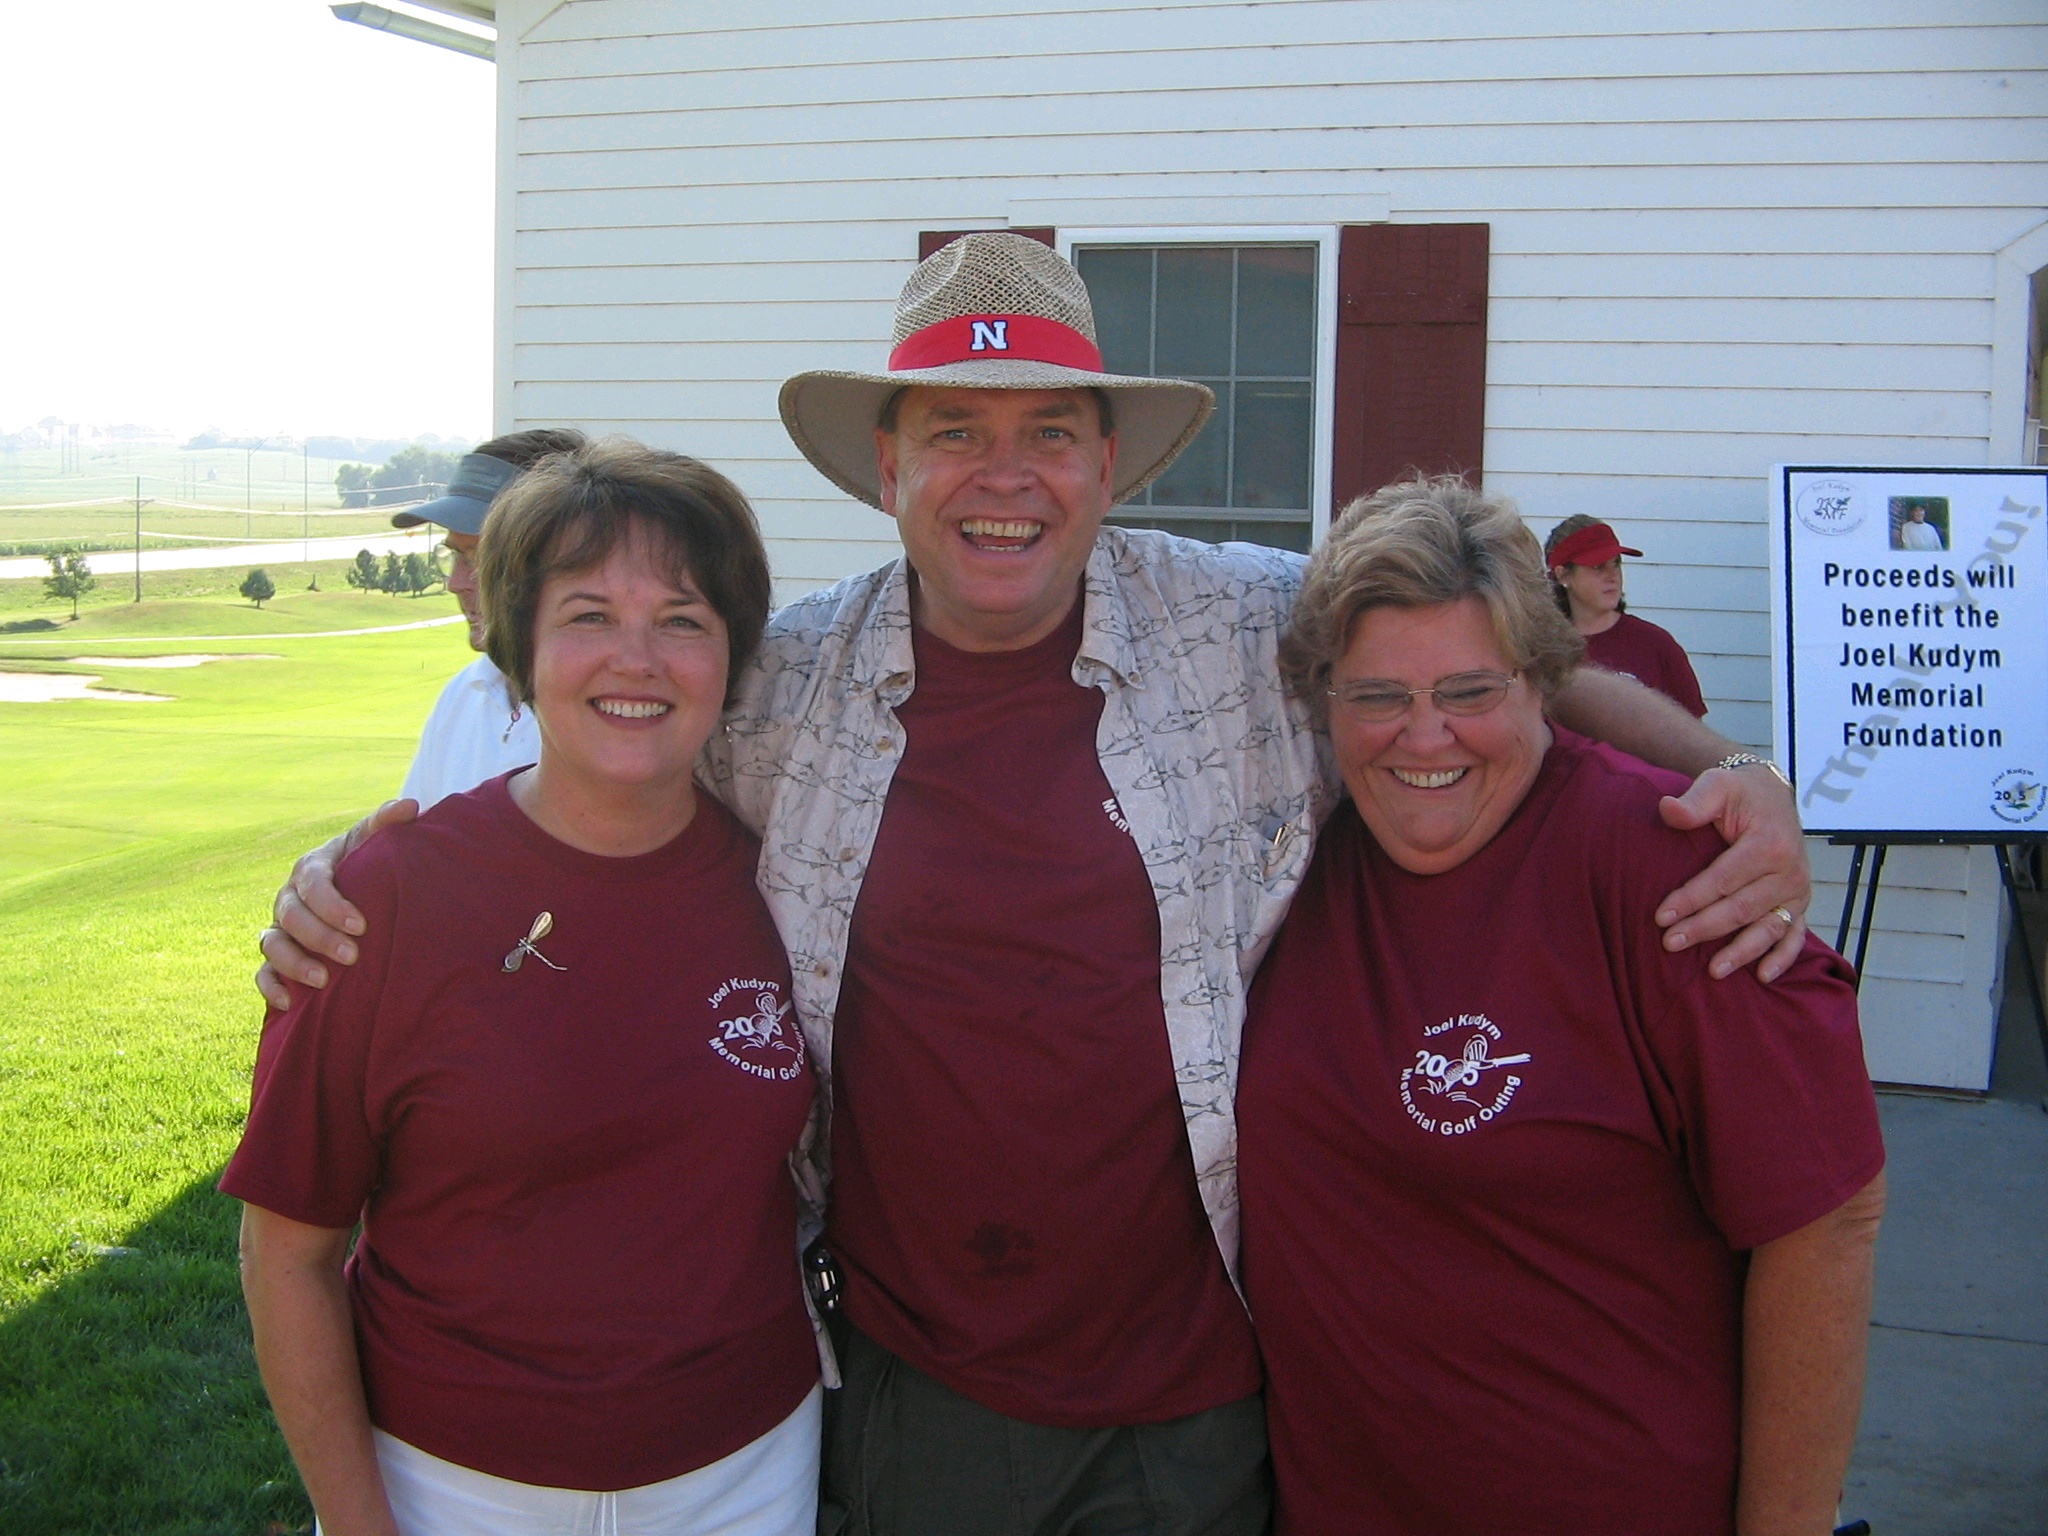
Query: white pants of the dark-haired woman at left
<point x="767" y="1488"/>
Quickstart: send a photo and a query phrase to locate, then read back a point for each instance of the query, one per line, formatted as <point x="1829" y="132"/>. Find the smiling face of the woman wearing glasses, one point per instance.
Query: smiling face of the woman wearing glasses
<point x="1435" y="787"/>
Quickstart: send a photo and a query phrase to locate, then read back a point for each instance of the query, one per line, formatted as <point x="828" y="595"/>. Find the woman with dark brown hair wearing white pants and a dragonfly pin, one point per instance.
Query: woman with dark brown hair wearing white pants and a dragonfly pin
<point x="558" y="1089"/>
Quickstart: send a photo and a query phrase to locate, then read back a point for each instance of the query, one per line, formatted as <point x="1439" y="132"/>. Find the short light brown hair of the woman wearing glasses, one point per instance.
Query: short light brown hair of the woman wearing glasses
<point x="1418" y="544"/>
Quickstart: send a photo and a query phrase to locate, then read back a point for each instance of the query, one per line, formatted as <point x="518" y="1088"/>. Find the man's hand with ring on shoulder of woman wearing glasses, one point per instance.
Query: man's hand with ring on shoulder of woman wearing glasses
<point x="1758" y="890"/>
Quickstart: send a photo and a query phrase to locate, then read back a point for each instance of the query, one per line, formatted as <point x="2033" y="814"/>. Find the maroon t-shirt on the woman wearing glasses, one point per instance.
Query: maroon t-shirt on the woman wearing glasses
<point x="1500" y="1162"/>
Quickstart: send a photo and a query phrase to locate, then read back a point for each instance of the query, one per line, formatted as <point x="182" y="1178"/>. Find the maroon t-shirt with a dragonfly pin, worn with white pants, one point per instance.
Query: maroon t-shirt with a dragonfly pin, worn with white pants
<point x="579" y="1258"/>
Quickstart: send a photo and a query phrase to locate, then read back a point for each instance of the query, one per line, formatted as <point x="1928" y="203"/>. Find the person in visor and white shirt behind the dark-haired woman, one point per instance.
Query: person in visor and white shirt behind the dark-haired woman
<point x="476" y="730"/>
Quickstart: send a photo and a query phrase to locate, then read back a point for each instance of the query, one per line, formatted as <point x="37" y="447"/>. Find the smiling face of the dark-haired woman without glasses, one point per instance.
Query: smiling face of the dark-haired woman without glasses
<point x="628" y="685"/>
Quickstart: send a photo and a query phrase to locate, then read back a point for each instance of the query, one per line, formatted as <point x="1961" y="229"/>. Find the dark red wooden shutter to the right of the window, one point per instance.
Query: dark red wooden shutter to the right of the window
<point x="1412" y="353"/>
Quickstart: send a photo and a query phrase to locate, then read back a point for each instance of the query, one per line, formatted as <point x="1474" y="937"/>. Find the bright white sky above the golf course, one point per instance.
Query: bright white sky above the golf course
<point x="243" y="214"/>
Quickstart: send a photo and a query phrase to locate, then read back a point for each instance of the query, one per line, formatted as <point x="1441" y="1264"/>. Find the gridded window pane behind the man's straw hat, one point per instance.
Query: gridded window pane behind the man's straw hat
<point x="1242" y="321"/>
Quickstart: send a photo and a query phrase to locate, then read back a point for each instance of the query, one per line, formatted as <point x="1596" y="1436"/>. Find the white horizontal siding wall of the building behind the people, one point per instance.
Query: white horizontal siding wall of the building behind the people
<point x="1723" y="237"/>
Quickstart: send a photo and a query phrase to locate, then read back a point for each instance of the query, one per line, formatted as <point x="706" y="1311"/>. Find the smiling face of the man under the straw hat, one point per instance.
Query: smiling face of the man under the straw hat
<point x="998" y="497"/>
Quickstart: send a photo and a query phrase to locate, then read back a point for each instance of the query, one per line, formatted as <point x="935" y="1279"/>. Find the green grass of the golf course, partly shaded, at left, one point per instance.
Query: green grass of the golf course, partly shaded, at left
<point x="138" y="857"/>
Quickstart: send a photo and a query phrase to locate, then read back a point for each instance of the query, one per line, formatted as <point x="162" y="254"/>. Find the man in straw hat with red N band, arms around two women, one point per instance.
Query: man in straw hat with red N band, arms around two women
<point x="1031" y="806"/>
